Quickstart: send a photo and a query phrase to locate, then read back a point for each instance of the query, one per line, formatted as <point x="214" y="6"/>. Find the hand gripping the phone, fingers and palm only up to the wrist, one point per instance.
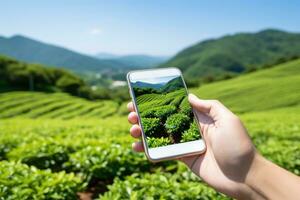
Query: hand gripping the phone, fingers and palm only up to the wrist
<point x="229" y="152"/>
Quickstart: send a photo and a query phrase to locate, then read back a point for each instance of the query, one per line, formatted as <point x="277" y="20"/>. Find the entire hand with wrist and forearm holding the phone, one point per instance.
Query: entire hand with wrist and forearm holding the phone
<point x="230" y="164"/>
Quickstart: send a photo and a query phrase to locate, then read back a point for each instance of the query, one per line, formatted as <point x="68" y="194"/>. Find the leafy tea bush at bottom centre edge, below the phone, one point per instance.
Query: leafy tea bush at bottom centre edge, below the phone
<point x="159" y="186"/>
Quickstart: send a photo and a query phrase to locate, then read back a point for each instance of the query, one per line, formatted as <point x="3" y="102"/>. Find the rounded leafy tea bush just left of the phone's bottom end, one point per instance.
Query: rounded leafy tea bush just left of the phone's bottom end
<point x="106" y="162"/>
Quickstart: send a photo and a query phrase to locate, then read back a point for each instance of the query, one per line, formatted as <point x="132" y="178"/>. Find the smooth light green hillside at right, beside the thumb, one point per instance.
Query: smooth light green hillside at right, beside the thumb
<point x="262" y="90"/>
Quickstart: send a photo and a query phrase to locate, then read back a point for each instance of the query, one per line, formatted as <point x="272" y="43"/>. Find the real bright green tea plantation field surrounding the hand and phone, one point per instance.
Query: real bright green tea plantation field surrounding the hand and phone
<point x="55" y="146"/>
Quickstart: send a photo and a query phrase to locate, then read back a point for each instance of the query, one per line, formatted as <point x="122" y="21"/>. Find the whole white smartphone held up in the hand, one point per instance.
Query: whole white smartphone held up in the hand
<point x="169" y="126"/>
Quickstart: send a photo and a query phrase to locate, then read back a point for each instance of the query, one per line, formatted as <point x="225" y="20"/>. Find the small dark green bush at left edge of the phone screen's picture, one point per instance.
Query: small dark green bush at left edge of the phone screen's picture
<point x="152" y="127"/>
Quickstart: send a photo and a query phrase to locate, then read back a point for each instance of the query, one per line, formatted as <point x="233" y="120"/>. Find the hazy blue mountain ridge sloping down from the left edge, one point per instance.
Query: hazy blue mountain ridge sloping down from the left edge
<point x="26" y="49"/>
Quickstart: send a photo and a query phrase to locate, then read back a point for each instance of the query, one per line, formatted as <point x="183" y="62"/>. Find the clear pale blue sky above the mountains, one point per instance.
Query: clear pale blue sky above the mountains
<point x="155" y="27"/>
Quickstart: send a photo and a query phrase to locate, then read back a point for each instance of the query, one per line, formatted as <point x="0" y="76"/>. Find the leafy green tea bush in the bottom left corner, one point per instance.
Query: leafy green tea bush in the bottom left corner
<point x="19" y="181"/>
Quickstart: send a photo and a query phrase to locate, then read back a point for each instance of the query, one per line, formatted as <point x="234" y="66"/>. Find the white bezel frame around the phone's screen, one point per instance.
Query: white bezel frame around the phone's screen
<point x="188" y="151"/>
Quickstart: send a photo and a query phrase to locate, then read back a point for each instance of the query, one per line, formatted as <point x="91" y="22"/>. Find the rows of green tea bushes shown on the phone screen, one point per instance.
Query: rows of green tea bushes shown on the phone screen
<point x="167" y="118"/>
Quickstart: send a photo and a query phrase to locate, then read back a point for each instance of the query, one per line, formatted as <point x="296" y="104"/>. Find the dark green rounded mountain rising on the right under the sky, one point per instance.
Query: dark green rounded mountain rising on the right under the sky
<point x="234" y="54"/>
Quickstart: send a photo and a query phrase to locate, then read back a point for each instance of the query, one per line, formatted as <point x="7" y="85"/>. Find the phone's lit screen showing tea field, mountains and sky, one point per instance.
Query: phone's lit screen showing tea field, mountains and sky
<point x="165" y="113"/>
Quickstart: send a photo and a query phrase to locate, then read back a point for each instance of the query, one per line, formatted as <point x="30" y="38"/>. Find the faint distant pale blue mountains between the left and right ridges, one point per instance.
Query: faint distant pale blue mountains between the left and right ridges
<point x="134" y="61"/>
